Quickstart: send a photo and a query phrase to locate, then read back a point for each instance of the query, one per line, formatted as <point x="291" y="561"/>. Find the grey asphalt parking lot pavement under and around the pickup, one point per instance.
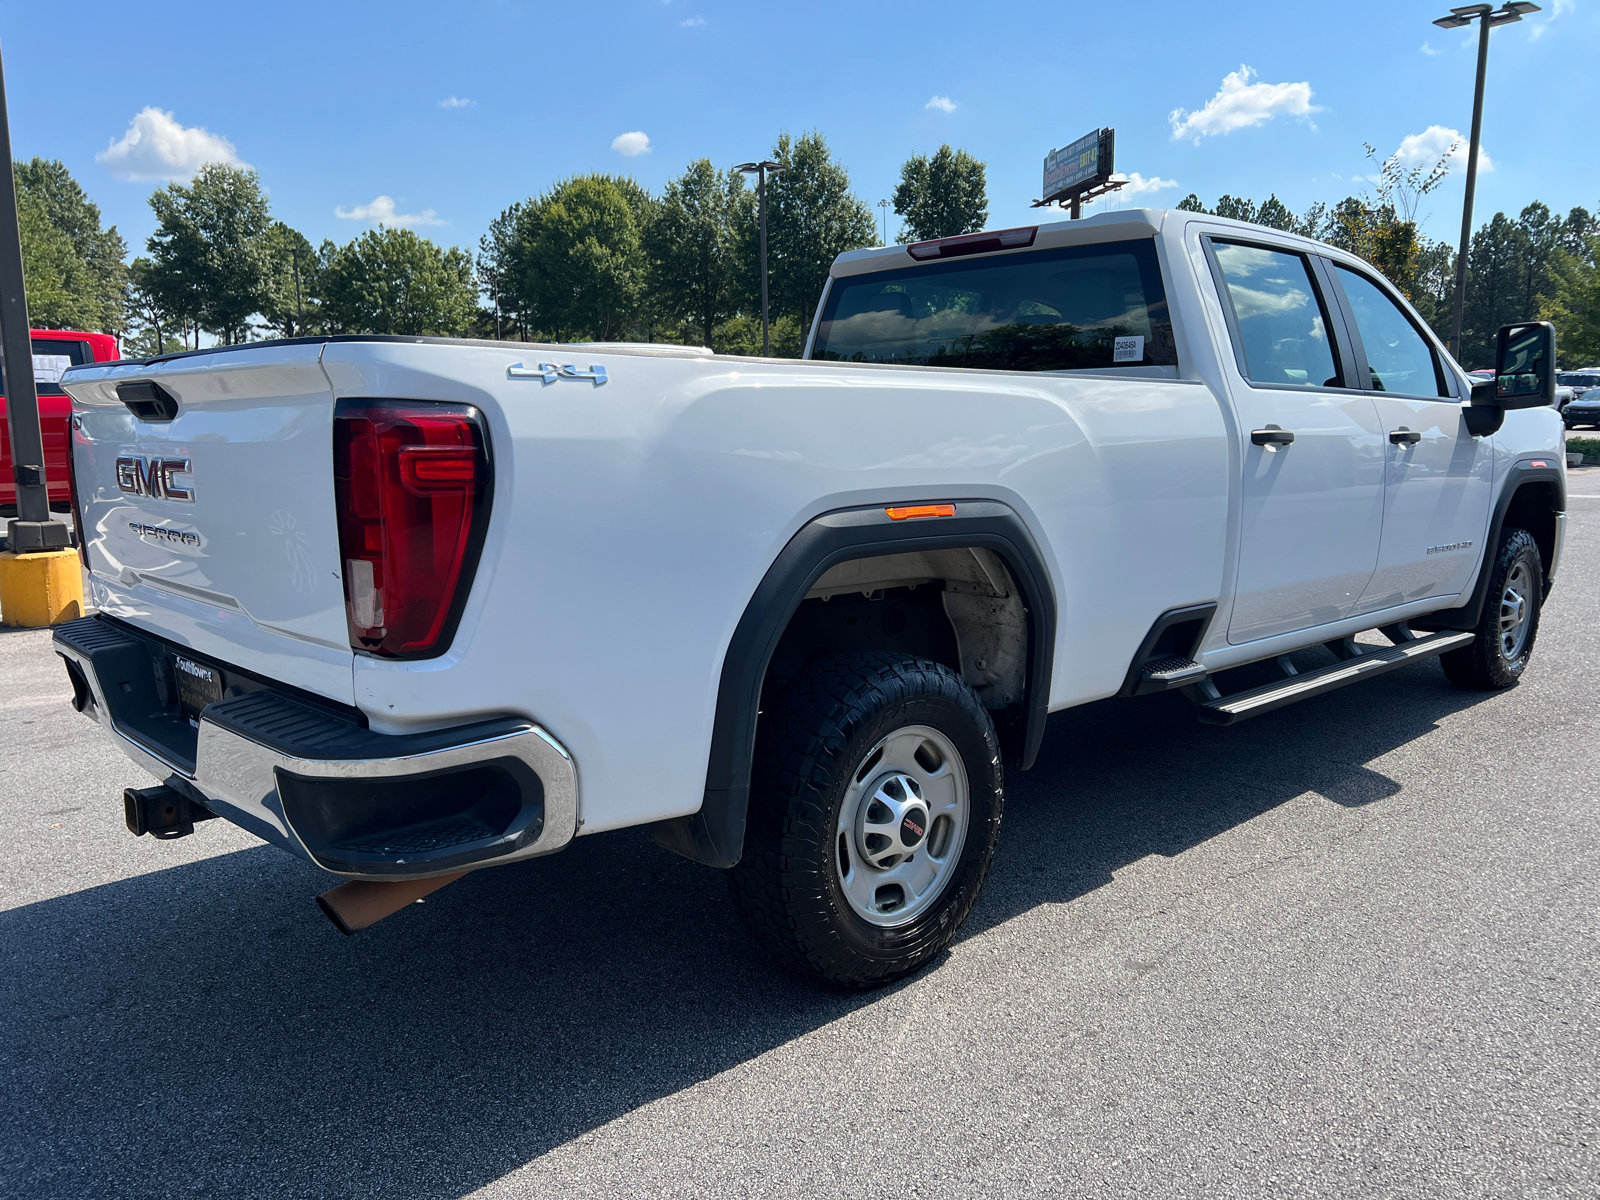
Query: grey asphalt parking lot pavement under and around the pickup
<point x="1345" y="950"/>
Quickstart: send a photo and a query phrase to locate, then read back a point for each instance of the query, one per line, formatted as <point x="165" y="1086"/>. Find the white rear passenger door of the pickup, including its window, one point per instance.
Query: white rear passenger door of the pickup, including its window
<point x="1313" y="457"/>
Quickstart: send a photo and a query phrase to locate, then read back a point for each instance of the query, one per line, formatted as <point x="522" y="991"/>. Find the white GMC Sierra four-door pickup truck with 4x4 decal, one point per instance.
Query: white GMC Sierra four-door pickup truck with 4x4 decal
<point x="414" y="607"/>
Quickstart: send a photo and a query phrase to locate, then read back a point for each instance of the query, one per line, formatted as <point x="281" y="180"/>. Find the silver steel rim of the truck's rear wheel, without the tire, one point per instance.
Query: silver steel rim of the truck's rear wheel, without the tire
<point x="902" y="826"/>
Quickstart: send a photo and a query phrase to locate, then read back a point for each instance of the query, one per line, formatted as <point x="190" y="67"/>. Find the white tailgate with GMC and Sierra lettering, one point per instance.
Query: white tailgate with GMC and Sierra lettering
<point x="218" y="529"/>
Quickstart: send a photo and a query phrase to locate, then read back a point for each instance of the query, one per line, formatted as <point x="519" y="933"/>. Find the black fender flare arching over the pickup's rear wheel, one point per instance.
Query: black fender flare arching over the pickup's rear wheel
<point x="716" y="834"/>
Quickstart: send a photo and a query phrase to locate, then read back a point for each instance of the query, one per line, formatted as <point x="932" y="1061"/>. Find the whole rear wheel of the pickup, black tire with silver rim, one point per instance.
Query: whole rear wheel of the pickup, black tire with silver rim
<point x="834" y="823"/>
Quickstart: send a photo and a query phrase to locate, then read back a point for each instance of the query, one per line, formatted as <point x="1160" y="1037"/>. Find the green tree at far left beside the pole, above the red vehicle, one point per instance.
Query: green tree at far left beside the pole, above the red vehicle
<point x="87" y="276"/>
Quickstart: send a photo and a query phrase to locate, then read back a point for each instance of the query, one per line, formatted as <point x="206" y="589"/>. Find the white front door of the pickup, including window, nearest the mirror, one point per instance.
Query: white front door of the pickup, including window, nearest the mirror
<point x="1439" y="478"/>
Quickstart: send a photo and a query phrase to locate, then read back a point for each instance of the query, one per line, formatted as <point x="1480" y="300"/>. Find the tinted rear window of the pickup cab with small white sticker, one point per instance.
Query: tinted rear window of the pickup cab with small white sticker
<point x="1071" y="310"/>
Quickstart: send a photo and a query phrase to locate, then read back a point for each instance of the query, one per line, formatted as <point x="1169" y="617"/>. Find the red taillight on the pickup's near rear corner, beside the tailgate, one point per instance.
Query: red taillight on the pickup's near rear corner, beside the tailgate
<point x="412" y="484"/>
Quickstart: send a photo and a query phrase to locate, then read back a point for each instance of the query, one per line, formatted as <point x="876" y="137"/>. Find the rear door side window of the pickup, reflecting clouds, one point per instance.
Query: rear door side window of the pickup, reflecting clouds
<point x="1281" y="319"/>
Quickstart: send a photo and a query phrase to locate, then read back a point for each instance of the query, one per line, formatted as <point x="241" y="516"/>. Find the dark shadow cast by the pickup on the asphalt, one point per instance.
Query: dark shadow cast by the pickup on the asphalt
<point x="204" y="1030"/>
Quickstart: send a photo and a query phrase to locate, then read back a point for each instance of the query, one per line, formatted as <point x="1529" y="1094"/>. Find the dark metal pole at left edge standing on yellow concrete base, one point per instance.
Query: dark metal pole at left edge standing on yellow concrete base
<point x="33" y="529"/>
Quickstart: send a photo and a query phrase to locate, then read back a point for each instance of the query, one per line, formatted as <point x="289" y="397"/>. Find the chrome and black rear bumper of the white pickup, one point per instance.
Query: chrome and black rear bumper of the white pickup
<point x="314" y="782"/>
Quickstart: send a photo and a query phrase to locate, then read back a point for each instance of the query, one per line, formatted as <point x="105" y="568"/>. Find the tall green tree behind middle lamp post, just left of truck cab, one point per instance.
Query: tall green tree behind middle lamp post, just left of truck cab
<point x="812" y="218"/>
